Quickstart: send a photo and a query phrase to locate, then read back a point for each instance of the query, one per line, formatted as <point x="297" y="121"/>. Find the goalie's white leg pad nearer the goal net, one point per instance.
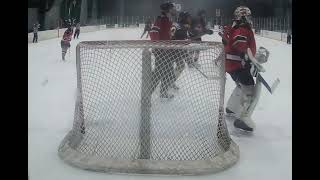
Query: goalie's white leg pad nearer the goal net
<point x="233" y="105"/>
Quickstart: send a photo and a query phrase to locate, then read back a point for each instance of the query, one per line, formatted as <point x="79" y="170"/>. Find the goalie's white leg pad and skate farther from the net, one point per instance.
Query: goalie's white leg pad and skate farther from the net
<point x="249" y="100"/>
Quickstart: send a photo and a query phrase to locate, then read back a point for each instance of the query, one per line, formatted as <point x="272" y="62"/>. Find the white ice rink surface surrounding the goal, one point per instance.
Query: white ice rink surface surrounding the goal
<point x="265" y="155"/>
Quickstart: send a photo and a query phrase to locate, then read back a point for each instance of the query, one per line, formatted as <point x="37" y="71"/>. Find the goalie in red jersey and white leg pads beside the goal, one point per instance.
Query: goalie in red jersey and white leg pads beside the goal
<point x="237" y="39"/>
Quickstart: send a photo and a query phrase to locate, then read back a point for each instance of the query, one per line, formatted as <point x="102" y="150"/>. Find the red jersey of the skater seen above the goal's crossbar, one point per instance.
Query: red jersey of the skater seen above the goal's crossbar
<point x="161" y="29"/>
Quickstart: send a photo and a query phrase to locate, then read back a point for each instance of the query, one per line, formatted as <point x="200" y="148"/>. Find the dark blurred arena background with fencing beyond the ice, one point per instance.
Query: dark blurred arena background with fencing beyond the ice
<point x="273" y="15"/>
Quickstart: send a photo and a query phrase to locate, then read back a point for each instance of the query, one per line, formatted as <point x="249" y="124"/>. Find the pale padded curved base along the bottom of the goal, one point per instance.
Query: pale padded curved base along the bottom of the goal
<point x="147" y="166"/>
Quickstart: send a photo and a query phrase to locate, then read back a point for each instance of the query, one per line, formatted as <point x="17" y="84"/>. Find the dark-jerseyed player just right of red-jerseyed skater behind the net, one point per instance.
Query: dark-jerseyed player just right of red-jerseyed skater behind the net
<point x="181" y="32"/>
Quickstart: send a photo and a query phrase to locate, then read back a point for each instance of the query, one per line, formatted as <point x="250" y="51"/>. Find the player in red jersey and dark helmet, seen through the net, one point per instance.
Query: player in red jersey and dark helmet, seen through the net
<point x="163" y="71"/>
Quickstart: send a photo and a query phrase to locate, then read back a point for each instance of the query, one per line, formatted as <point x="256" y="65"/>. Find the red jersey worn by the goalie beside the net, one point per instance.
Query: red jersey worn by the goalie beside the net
<point x="239" y="39"/>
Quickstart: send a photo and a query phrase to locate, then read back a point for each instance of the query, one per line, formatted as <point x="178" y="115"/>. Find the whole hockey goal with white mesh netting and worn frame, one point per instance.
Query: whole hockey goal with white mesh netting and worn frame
<point x="121" y="123"/>
